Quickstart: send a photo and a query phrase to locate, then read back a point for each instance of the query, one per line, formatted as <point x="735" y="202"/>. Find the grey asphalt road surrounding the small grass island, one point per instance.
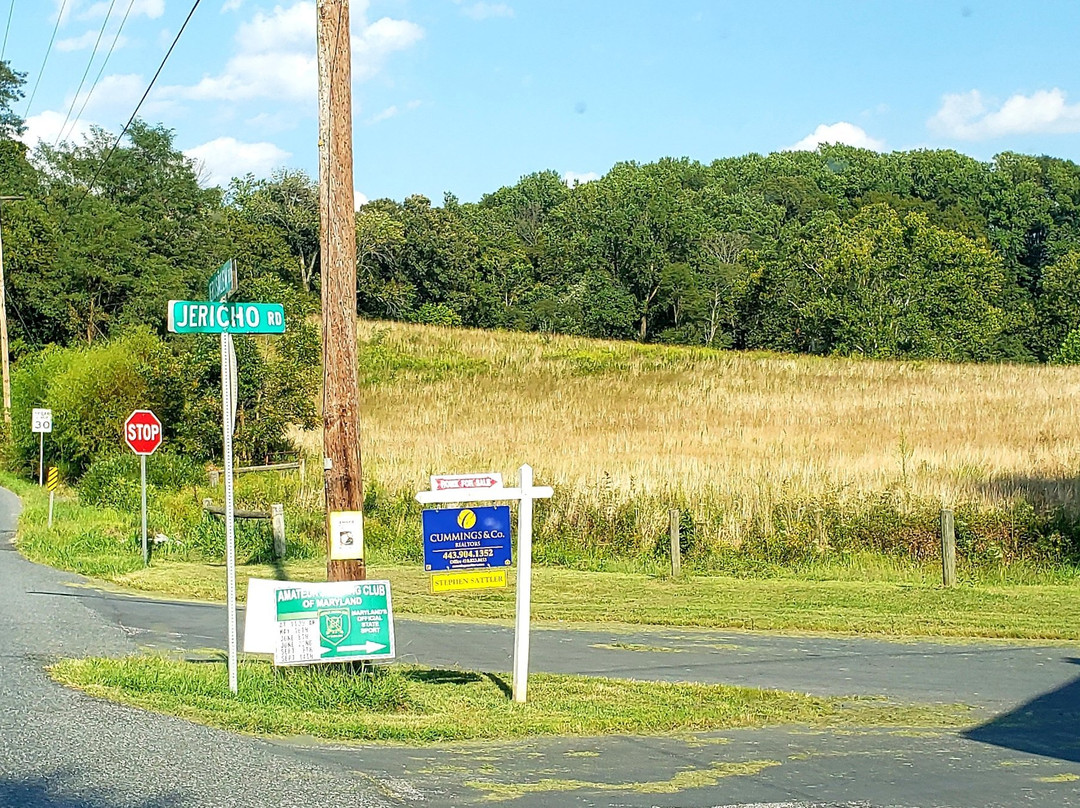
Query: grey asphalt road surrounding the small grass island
<point x="60" y="748"/>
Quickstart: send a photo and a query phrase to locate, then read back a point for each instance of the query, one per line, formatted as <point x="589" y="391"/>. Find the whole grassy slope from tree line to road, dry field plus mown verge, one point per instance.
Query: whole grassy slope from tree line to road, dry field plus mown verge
<point x="812" y="488"/>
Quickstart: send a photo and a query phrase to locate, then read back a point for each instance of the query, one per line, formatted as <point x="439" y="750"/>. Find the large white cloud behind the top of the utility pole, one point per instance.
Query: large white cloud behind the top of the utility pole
<point x="276" y="56"/>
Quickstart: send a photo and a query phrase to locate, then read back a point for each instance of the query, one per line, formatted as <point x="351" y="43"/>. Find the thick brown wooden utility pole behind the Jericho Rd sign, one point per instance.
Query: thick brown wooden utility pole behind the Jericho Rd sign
<point x="343" y="472"/>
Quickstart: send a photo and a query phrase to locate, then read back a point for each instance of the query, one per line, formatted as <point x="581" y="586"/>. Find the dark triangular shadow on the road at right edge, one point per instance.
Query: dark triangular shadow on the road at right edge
<point x="1048" y="725"/>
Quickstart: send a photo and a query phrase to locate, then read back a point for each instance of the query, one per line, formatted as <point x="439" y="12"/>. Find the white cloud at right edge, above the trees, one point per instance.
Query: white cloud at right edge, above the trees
<point x="969" y="117"/>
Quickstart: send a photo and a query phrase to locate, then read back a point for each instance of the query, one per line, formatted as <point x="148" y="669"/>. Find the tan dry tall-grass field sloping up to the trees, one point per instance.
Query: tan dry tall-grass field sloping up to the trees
<point x="735" y="436"/>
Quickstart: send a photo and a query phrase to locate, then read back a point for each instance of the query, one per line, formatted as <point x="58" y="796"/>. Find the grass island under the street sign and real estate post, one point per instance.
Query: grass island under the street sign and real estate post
<point x="412" y="705"/>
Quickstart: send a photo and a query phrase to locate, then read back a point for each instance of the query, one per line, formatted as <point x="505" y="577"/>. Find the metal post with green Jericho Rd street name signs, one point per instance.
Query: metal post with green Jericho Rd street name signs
<point x="218" y="317"/>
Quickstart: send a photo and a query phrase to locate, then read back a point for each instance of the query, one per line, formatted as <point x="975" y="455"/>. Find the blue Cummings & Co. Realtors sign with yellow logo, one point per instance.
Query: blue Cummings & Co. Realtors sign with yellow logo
<point x="466" y="538"/>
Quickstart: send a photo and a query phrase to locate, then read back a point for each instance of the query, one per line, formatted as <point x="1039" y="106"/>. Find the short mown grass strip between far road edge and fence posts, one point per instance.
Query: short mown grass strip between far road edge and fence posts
<point x="1033" y="612"/>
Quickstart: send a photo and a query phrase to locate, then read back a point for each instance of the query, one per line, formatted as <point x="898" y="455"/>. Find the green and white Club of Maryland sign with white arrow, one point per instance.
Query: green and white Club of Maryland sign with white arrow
<point x="334" y="623"/>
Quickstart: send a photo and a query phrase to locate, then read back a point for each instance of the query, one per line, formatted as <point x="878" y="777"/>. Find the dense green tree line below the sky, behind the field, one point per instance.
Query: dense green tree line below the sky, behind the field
<point x="925" y="254"/>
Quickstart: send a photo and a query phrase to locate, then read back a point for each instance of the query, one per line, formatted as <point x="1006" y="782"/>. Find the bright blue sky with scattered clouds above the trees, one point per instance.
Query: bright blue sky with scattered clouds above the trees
<point x="468" y="96"/>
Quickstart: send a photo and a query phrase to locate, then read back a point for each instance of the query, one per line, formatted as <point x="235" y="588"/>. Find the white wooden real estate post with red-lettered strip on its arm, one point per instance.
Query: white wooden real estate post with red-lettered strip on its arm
<point x="525" y="494"/>
